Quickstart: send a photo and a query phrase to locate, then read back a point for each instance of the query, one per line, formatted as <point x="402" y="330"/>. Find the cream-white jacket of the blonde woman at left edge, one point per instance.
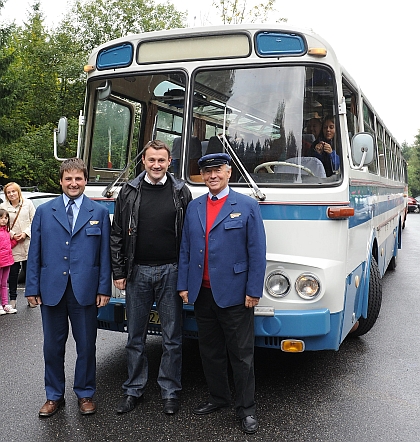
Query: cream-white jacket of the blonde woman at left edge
<point x="22" y="224"/>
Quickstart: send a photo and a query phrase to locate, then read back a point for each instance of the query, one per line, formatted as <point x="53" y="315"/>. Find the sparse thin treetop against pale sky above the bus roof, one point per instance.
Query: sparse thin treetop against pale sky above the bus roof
<point x="237" y="11"/>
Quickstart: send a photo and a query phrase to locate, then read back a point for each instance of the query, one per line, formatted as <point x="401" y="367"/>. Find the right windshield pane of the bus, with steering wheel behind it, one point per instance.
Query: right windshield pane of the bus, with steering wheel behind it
<point x="267" y="117"/>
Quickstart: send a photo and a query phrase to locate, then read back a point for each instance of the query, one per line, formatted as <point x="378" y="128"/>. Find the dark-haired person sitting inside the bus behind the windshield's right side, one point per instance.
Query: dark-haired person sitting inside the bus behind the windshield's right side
<point x="322" y="148"/>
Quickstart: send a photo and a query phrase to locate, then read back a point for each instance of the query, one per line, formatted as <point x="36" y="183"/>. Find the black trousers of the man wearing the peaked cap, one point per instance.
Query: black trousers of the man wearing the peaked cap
<point x="227" y="334"/>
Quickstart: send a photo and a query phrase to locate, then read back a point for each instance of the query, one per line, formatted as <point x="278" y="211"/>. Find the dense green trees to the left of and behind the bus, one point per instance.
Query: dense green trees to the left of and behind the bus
<point x="42" y="78"/>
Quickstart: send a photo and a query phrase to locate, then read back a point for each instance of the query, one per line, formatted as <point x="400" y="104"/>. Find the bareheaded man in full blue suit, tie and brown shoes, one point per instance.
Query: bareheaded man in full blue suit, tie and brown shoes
<point x="69" y="275"/>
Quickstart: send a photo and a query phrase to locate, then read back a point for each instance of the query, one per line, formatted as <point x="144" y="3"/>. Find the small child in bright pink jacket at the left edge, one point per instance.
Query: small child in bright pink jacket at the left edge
<point x="6" y="260"/>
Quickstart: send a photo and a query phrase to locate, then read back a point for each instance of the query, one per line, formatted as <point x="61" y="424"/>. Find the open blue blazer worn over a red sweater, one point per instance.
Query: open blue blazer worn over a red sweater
<point x="236" y="250"/>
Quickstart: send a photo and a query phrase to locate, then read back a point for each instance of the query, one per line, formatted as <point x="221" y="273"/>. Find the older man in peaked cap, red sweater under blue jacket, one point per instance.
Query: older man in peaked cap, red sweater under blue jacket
<point x="221" y="271"/>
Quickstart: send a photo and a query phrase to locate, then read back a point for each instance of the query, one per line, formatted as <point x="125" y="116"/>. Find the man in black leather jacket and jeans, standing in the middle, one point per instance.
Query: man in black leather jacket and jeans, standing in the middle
<point x="145" y="240"/>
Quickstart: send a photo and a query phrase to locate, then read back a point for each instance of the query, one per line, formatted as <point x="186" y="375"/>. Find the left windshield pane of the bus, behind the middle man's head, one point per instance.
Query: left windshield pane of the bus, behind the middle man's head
<point x="136" y="109"/>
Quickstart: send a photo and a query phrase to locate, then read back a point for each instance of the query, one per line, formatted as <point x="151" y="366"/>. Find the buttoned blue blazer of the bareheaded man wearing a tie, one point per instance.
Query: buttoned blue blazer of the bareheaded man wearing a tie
<point x="54" y="253"/>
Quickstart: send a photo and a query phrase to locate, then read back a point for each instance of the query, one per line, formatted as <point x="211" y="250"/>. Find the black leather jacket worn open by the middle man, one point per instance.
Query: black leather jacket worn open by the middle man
<point x="124" y="225"/>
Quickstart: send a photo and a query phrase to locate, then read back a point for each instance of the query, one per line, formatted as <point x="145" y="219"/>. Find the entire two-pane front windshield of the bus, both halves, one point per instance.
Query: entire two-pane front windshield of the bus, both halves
<point x="267" y="118"/>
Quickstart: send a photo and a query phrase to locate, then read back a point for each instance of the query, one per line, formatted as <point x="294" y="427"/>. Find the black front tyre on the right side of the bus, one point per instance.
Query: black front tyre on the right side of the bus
<point x="374" y="301"/>
